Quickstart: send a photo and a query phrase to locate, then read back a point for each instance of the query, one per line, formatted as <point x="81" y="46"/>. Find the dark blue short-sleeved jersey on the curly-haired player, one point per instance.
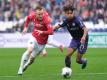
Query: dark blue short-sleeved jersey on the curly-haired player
<point x="74" y="26"/>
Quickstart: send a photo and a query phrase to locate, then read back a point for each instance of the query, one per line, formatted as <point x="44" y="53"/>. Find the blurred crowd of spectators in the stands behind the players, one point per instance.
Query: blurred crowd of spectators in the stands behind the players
<point x="14" y="12"/>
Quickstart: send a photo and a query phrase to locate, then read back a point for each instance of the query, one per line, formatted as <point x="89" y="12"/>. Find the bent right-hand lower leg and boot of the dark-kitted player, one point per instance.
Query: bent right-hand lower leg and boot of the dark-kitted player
<point x="82" y="61"/>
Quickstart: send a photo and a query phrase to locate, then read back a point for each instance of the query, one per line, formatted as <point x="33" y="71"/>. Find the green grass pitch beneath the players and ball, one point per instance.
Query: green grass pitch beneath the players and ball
<point x="49" y="68"/>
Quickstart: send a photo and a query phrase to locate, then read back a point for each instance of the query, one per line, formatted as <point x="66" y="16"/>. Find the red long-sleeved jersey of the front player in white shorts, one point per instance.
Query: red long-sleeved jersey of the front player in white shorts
<point x="44" y="25"/>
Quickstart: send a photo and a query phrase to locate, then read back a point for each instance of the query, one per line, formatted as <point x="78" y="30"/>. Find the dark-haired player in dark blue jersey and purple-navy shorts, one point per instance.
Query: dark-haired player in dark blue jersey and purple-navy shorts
<point x="79" y="34"/>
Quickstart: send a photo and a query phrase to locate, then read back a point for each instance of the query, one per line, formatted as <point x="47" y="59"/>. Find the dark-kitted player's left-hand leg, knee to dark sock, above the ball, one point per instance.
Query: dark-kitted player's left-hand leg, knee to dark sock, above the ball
<point x="70" y="52"/>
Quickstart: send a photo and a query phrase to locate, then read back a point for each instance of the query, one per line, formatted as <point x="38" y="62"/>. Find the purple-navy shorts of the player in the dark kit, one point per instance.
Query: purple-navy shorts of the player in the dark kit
<point x="75" y="44"/>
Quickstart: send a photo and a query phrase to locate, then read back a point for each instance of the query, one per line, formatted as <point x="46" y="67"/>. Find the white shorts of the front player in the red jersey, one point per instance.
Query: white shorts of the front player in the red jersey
<point x="37" y="47"/>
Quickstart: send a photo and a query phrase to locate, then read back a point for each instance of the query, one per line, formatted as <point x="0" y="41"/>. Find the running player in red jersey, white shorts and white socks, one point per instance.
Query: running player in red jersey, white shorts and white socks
<point x="42" y="29"/>
